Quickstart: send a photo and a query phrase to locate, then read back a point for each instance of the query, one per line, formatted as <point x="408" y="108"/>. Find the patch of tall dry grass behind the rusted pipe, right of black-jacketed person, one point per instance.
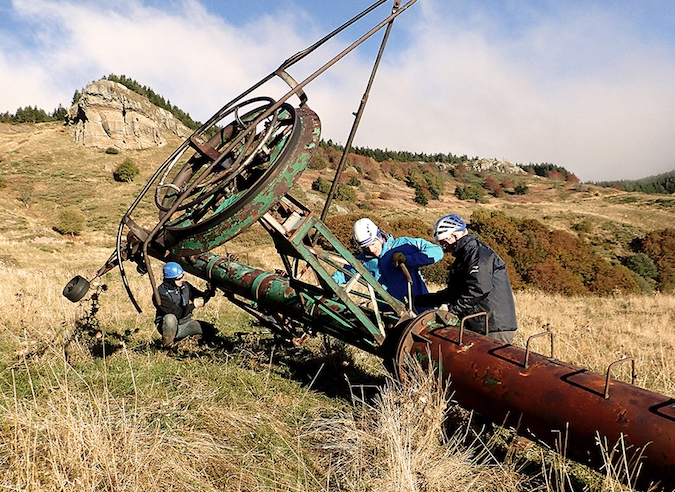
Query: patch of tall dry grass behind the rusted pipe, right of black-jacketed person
<point x="593" y="332"/>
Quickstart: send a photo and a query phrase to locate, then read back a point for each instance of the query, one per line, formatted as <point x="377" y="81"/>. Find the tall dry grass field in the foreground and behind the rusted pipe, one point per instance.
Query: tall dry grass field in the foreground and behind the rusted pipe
<point x="140" y="419"/>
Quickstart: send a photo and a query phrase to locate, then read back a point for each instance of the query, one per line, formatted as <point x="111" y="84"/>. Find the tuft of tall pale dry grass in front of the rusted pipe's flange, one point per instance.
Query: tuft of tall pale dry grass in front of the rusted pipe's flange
<point x="399" y="445"/>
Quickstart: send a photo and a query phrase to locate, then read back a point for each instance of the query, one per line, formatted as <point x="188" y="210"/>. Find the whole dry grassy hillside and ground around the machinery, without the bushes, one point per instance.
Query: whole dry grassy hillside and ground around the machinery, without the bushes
<point x="89" y="402"/>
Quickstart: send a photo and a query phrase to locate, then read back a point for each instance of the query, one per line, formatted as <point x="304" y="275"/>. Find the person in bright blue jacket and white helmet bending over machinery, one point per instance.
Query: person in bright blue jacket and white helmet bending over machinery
<point x="382" y="254"/>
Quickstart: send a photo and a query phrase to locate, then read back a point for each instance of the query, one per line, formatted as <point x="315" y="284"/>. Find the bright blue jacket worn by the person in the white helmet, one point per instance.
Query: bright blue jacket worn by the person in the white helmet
<point x="418" y="253"/>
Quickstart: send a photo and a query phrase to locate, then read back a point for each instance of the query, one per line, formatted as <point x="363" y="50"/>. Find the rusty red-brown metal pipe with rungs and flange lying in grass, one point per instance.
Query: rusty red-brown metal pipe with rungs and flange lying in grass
<point x="547" y="400"/>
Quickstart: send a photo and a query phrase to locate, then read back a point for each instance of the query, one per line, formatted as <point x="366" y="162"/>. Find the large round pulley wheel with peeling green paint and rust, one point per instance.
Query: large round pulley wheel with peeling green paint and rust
<point x="236" y="175"/>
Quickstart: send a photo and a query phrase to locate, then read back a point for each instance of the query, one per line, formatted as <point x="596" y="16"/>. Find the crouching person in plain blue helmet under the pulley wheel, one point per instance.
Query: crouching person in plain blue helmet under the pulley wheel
<point x="178" y="298"/>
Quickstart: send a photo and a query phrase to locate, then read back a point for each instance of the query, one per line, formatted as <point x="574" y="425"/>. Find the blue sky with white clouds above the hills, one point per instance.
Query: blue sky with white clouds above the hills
<point x="586" y="85"/>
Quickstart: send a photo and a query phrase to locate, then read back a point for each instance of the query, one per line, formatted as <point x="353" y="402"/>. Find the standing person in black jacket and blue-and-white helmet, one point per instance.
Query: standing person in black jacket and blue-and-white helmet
<point x="478" y="282"/>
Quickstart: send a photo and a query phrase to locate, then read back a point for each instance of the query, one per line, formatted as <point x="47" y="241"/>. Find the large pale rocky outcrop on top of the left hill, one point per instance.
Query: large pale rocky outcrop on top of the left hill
<point x="110" y="115"/>
